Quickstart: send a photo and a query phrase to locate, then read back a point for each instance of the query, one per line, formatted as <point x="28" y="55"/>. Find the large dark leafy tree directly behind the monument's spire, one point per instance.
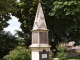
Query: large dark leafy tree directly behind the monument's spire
<point x="62" y="18"/>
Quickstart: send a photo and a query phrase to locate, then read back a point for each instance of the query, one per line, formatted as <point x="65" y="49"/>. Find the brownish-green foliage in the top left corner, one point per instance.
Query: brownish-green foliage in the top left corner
<point x="7" y="6"/>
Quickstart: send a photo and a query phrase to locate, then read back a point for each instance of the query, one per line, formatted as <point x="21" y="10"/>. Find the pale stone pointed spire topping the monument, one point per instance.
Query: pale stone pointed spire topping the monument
<point x="39" y="23"/>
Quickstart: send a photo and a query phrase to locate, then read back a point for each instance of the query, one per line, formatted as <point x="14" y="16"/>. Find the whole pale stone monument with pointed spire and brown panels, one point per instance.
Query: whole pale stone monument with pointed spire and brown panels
<point x="40" y="47"/>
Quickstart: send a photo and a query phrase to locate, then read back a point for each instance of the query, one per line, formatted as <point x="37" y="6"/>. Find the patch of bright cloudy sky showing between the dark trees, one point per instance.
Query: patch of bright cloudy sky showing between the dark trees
<point x="14" y="25"/>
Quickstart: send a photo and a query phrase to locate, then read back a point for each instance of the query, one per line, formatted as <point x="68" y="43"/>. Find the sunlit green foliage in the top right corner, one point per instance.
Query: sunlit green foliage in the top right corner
<point x="65" y="8"/>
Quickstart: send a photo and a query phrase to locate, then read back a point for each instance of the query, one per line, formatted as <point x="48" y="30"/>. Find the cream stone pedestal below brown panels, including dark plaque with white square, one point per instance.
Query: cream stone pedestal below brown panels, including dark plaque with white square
<point x="40" y="52"/>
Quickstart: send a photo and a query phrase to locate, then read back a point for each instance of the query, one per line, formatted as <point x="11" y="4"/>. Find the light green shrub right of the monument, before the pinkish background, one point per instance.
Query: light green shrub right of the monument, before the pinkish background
<point x="61" y="54"/>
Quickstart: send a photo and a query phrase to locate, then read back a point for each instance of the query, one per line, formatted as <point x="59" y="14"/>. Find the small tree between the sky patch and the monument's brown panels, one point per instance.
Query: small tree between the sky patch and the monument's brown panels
<point x="22" y="39"/>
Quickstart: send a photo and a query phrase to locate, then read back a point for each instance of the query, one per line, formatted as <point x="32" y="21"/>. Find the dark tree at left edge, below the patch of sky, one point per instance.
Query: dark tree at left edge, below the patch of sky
<point x="7" y="43"/>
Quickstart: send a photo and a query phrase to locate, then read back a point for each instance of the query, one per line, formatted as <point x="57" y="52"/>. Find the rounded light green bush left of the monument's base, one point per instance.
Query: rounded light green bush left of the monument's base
<point x="19" y="53"/>
